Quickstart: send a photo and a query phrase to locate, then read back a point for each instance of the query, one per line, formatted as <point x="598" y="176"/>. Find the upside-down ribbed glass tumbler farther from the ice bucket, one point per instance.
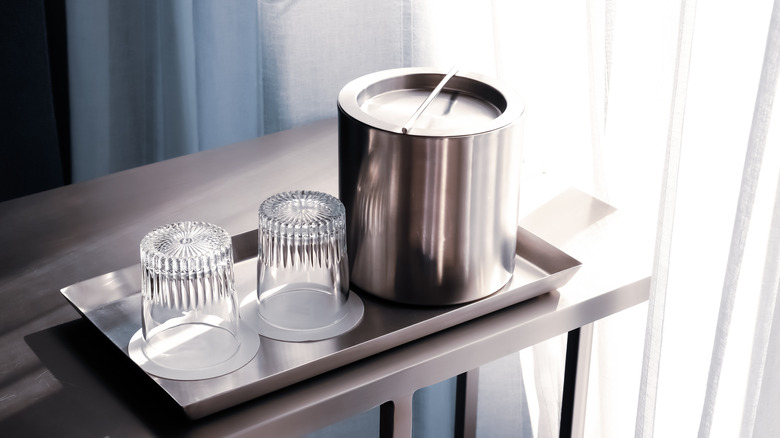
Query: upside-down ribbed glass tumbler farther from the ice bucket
<point x="189" y="315"/>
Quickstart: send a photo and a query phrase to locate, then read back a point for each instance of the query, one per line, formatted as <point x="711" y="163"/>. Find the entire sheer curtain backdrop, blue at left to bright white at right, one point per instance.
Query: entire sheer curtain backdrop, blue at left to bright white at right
<point x="663" y="109"/>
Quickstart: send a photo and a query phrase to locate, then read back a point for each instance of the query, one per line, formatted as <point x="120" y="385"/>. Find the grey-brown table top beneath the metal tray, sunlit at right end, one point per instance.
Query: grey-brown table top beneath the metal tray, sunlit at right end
<point x="59" y="375"/>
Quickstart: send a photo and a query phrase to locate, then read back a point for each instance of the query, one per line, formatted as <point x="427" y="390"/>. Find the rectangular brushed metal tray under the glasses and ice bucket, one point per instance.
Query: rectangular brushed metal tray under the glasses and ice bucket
<point x="112" y="302"/>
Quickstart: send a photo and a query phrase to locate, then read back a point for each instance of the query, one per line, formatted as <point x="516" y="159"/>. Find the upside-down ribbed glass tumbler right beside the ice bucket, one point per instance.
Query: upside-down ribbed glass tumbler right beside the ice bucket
<point x="303" y="276"/>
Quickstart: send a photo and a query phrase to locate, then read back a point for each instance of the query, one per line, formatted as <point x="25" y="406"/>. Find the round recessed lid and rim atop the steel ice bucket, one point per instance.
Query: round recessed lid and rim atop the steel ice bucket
<point x="468" y="104"/>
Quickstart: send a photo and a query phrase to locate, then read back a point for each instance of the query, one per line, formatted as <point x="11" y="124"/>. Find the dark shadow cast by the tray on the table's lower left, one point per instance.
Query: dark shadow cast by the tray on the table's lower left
<point x="103" y="394"/>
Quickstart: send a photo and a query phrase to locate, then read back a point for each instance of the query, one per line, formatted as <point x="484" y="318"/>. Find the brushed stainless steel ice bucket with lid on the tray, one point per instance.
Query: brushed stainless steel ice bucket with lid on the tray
<point x="432" y="211"/>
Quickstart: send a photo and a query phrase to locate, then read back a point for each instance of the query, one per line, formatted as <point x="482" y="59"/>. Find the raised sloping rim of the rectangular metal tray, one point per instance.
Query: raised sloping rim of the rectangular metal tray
<point x="559" y="266"/>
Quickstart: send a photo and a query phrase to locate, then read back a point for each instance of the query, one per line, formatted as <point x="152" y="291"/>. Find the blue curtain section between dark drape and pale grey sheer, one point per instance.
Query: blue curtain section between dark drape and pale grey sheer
<point x="154" y="80"/>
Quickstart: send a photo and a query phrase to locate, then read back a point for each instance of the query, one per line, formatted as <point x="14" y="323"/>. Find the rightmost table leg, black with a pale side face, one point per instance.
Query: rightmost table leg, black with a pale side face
<point x="575" y="381"/>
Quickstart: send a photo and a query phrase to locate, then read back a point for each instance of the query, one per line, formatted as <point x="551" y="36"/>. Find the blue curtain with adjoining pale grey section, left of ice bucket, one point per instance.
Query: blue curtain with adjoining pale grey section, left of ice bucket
<point x="152" y="80"/>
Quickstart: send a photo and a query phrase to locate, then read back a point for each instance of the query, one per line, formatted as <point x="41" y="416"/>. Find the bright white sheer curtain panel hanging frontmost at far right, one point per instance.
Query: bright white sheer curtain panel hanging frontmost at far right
<point x="710" y="364"/>
